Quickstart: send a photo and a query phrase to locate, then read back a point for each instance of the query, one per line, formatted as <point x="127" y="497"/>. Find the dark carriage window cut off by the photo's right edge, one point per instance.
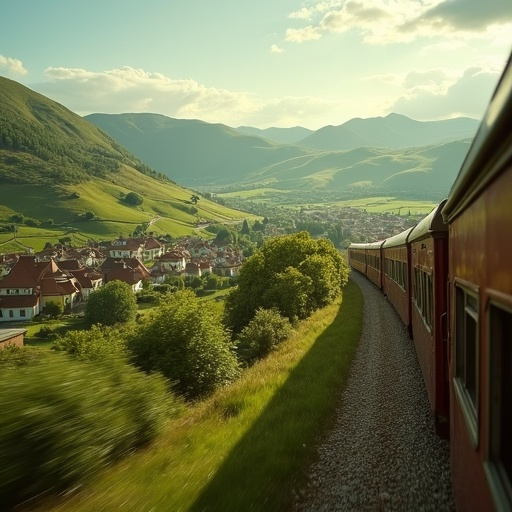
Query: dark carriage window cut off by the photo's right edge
<point x="500" y="327"/>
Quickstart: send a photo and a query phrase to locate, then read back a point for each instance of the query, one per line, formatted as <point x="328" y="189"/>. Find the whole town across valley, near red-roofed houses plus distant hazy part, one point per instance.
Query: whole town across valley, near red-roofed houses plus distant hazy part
<point x="66" y="275"/>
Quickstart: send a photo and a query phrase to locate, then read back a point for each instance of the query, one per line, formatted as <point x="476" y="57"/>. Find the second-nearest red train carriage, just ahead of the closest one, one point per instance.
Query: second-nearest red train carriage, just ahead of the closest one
<point x="428" y="242"/>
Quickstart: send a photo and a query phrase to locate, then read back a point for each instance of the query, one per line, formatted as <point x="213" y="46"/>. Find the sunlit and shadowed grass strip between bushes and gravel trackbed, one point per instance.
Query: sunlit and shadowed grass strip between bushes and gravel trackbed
<point x="245" y="448"/>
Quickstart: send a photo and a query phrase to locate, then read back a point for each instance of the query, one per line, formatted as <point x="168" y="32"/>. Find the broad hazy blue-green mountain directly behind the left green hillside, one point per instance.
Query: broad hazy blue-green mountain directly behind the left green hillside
<point x="193" y="152"/>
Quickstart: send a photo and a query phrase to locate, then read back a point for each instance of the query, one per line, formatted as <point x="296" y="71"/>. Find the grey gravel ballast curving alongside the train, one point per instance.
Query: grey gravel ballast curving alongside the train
<point x="382" y="453"/>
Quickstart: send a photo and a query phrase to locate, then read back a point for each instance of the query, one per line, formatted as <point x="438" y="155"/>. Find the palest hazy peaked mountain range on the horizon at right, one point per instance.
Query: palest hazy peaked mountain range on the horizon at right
<point x="393" y="131"/>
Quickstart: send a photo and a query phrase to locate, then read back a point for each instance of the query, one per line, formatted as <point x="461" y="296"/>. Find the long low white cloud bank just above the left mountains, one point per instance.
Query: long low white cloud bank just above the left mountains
<point x="134" y="90"/>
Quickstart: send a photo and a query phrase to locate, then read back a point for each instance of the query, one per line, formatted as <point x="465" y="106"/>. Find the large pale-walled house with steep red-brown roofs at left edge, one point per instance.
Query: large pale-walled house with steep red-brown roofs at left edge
<point x="31" y="284"/>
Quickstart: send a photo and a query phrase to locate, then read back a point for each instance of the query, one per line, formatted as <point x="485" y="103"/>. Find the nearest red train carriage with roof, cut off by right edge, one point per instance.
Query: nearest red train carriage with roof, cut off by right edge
<point x="479" y="216"/>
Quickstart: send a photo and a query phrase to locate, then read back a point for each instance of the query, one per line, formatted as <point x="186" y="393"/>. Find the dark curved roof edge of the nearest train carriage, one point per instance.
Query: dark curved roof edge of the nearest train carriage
<point x="489" y="152"/>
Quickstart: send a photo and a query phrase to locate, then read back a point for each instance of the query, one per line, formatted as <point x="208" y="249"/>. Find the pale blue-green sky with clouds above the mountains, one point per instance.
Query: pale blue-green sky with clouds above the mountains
<point x="260" y="63"/>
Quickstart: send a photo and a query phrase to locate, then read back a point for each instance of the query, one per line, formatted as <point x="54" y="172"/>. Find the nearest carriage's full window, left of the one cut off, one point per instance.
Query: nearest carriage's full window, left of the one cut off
<point x="466" y="356"/>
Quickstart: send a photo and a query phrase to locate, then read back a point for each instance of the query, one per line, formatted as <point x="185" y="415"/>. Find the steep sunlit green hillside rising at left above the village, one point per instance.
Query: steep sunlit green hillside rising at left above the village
<point x="62" y="176"/>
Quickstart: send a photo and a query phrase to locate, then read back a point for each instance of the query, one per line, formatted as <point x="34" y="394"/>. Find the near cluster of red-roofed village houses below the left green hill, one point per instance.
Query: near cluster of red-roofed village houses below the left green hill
<point x="67" y="275"/>
